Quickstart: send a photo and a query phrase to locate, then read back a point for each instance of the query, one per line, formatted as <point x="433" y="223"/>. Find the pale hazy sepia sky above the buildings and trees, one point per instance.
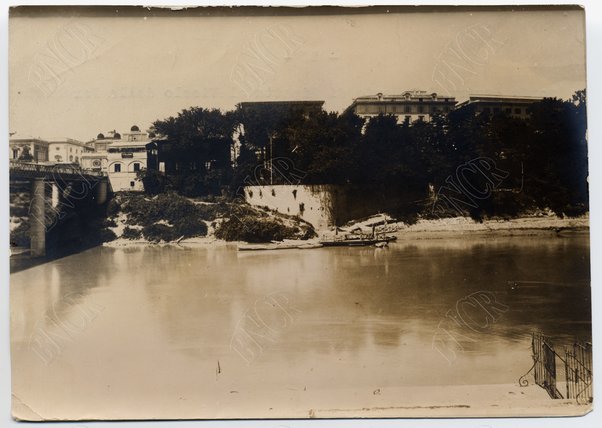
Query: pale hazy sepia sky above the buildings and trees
<point x="78" y="76"/>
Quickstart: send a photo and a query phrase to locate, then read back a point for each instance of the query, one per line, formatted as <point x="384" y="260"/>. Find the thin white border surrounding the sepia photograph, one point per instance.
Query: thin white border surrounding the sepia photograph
<point x="594" y="94"/>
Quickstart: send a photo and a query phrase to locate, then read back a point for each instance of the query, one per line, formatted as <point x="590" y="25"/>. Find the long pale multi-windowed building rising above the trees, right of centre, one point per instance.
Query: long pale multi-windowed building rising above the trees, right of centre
<point x="409" y="105"/>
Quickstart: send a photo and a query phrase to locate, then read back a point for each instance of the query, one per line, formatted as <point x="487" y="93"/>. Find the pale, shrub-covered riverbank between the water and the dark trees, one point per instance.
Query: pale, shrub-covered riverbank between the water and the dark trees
<point x="224" y="223"/>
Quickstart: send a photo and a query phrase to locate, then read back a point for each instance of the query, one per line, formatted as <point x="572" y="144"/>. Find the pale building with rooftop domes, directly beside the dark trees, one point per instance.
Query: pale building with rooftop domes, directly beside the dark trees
<point x="127" y="156"/>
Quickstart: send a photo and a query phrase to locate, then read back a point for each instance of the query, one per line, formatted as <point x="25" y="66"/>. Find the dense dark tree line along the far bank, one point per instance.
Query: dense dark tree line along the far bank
<point x="543" y="157"/>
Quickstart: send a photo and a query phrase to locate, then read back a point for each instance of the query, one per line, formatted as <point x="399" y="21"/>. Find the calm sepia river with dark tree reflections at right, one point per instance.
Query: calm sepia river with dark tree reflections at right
<point x="209" y="332"/>
